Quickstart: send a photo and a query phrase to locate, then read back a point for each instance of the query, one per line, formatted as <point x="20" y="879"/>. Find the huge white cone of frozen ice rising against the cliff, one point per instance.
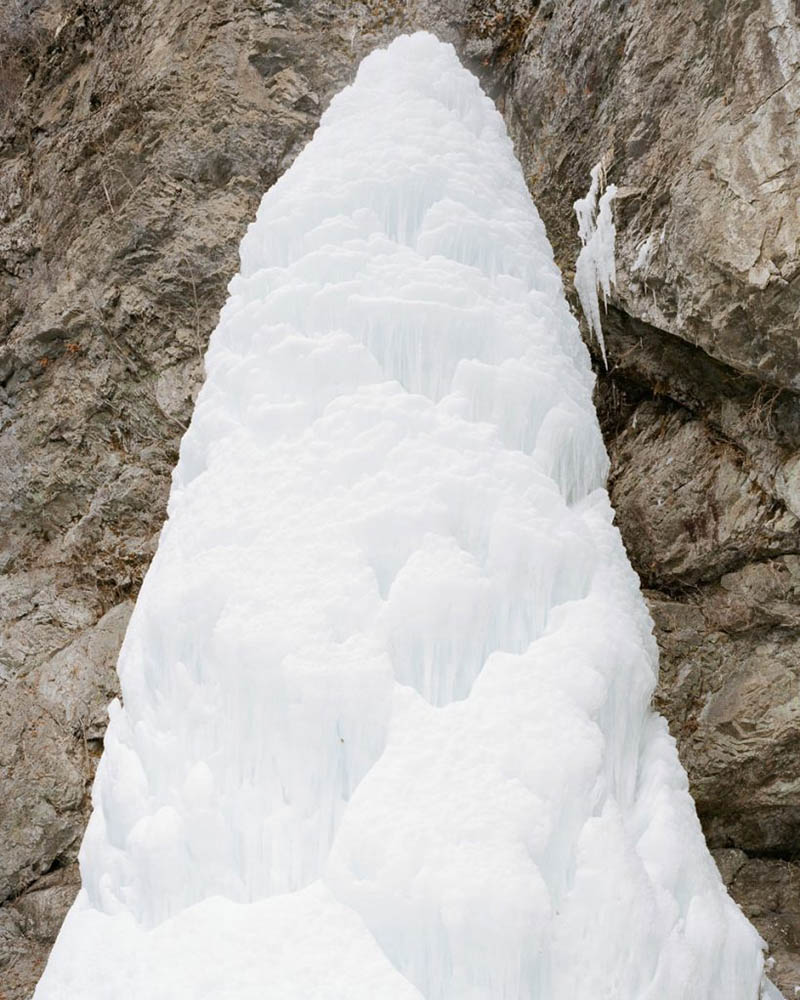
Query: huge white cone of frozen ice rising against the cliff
<point x="386" y="729"/>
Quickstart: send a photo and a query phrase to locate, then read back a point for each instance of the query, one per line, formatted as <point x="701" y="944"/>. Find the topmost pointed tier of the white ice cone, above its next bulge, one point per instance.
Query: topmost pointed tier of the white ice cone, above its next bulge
<point x="414" y="152"/>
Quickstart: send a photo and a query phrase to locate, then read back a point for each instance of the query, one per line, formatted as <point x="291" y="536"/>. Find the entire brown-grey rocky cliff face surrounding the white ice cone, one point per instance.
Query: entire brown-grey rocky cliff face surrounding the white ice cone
<point x="135" y="143"/>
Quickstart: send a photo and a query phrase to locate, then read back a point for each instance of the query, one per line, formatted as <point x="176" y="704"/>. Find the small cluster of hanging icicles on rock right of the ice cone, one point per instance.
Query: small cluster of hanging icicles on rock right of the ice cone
<point x="596" y="268"/>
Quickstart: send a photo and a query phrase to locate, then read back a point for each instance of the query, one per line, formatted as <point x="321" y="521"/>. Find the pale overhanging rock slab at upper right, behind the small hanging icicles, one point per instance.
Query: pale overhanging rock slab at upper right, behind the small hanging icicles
<point x="695" y="107"/>
